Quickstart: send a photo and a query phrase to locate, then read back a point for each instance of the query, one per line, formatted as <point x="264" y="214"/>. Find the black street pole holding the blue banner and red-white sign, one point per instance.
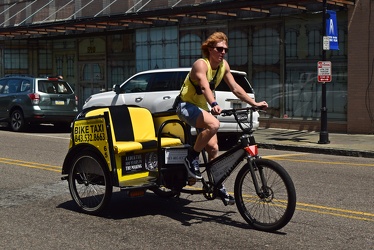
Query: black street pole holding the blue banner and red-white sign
<point x="324" y="135"/>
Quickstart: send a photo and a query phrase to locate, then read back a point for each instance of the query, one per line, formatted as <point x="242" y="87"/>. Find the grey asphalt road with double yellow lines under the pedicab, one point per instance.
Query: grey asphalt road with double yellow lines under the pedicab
<point x="335" y="208"/>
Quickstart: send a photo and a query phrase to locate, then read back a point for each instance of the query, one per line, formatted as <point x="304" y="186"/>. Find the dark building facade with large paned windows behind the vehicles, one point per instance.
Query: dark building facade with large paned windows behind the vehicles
<point x="278" y="44"/>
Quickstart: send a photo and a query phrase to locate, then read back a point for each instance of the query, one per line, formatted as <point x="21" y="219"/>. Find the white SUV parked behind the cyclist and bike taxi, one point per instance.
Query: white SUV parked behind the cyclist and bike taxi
<point x="156" y="90"/>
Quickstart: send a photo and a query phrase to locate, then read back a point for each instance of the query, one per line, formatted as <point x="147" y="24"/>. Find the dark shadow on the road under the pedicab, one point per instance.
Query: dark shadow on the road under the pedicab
<point x="179" y="209"/>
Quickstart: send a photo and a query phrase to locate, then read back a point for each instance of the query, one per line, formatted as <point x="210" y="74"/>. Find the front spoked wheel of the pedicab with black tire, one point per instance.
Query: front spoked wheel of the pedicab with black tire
<point x="274" y="206"/>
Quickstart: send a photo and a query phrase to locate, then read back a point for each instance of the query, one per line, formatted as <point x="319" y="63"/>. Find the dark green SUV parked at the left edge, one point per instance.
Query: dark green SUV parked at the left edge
<point x="25" y="100"/>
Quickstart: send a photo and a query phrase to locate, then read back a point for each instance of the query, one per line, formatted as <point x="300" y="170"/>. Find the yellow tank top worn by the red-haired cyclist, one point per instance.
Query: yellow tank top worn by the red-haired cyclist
<point x="188" y="91"/>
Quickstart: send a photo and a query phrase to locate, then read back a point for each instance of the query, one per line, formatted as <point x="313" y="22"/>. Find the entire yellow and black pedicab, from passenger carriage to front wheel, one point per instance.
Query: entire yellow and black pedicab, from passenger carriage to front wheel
<point x="134" y="150"/>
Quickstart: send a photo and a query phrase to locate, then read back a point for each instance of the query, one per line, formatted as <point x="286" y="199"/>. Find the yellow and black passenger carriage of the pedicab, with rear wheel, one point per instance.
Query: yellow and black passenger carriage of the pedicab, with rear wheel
<point x="117" y="146"/>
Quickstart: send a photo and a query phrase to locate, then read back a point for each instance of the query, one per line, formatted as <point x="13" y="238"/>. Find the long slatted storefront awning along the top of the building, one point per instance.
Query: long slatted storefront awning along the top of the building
<point x="36" y="18"/>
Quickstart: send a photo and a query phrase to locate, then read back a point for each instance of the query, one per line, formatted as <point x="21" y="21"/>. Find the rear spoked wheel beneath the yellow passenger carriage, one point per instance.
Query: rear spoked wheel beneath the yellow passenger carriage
<point x="89" y="182"/>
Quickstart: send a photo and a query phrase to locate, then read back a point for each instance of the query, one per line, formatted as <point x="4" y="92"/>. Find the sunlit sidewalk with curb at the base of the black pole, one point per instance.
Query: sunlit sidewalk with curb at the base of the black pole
<point x="304" y="141"/>
